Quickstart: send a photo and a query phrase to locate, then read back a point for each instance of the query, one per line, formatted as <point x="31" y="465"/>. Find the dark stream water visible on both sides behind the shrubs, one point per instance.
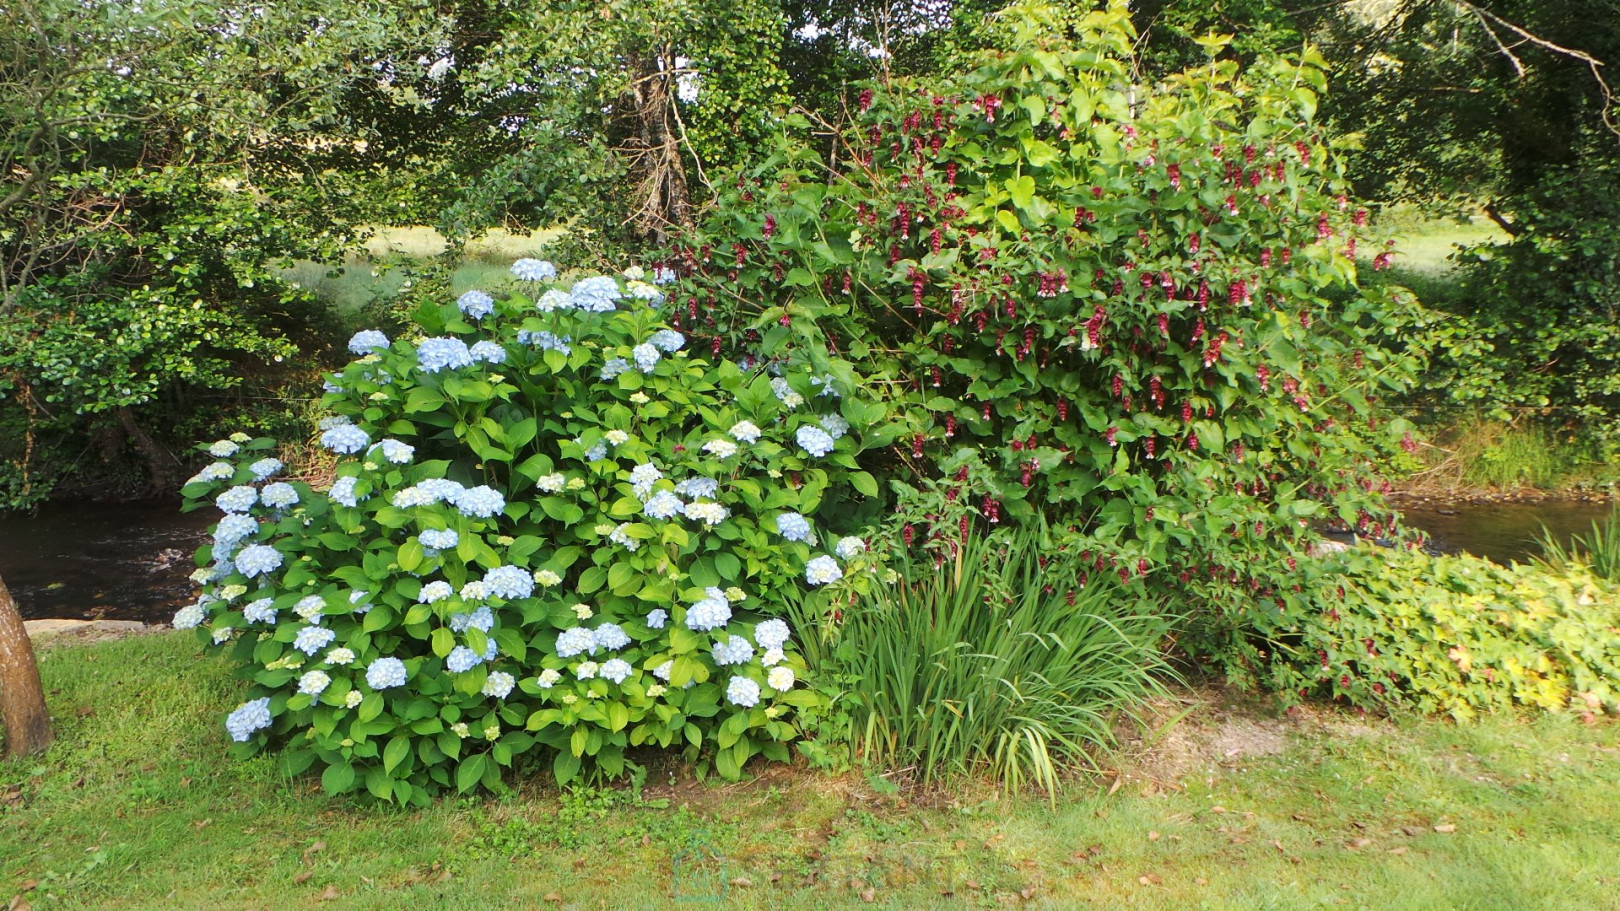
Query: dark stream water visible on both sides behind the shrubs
<point x="130" y="560"/>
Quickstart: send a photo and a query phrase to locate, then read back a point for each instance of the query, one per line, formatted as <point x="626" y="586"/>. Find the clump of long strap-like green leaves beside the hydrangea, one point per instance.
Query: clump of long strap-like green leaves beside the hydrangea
<point x="997" y="662"/>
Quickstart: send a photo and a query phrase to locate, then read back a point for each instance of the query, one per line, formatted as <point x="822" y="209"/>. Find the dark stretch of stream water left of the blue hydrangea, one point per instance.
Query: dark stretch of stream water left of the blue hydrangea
<point x="101" y="560"/>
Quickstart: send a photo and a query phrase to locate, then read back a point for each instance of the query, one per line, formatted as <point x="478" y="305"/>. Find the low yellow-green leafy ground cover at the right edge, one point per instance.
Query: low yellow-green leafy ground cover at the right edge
<point x="1454" y="635"/>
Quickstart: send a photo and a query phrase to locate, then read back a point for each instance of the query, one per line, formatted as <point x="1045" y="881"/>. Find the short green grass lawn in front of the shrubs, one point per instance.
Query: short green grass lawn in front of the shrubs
<point x="137" y="806"/>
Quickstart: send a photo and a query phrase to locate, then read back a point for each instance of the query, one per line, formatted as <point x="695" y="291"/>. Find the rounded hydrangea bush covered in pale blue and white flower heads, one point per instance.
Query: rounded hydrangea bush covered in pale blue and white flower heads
<point x="552" y="524"/>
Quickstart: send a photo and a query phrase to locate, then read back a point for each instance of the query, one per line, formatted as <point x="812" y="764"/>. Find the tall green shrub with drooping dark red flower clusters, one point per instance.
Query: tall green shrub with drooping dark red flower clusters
<point x="1130" y="309"/>
